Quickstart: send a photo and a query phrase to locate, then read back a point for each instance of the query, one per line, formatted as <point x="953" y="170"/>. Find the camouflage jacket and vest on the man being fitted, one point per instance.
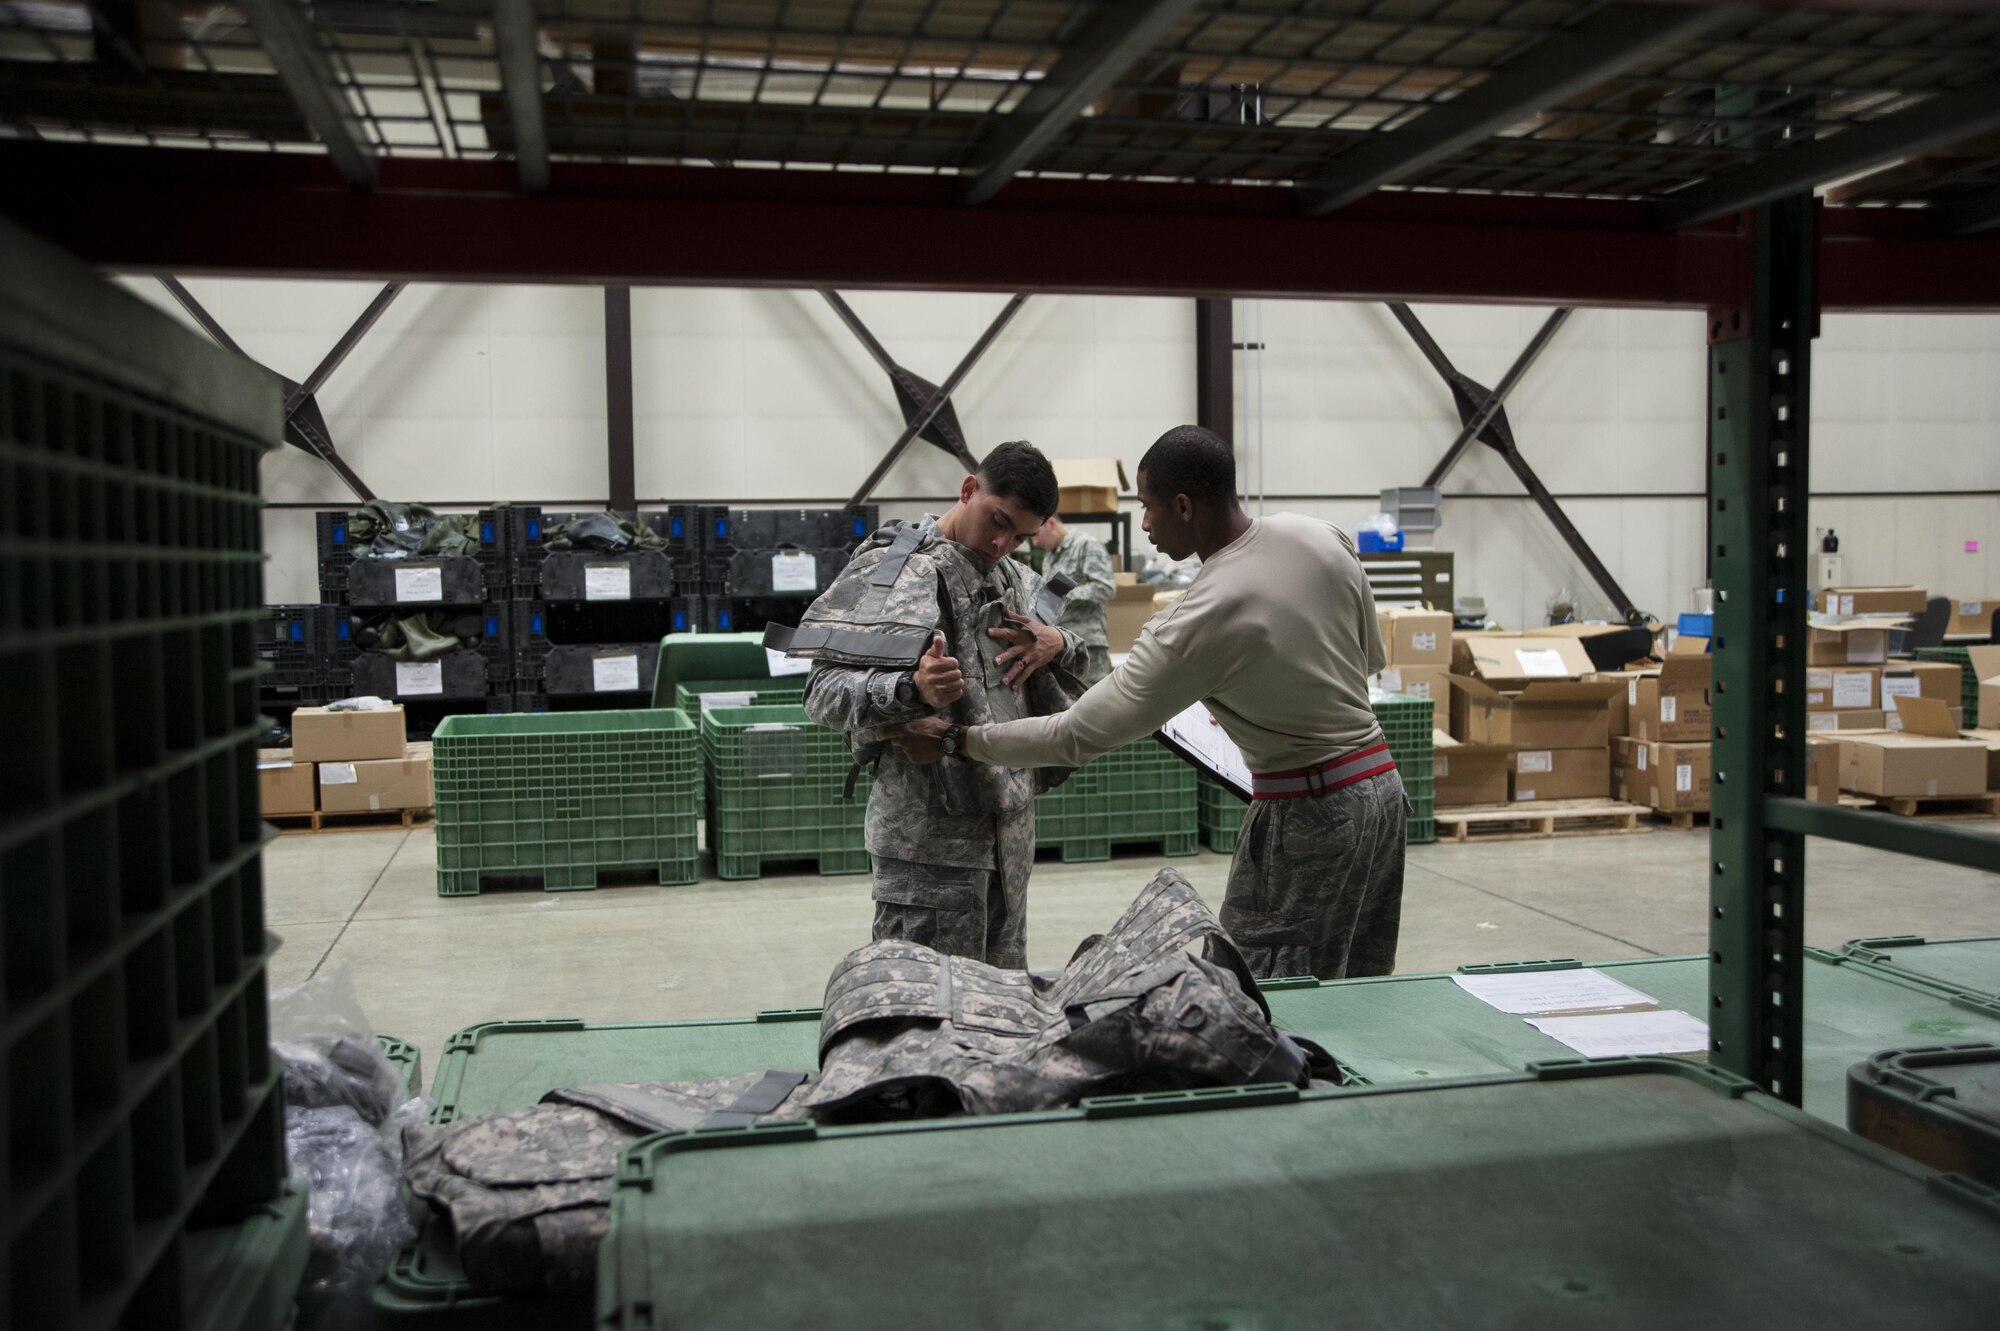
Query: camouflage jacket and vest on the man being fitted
<point x="867" y="635"/>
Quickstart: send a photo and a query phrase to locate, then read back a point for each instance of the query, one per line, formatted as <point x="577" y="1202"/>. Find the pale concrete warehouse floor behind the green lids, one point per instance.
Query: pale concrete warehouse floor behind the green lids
<point x="427" y="966"/>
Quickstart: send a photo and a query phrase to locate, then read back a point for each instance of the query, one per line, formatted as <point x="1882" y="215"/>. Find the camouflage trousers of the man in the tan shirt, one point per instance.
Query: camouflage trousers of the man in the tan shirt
<point x="1317" y="884"/>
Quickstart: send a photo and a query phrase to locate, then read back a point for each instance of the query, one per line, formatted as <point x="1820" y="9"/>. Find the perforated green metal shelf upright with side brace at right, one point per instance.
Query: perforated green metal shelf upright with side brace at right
<point x="1761" y="361"/>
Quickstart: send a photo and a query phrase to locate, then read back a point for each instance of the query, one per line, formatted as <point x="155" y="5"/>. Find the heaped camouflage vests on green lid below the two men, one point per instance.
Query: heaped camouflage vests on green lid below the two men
<point x="909" y="1032"/>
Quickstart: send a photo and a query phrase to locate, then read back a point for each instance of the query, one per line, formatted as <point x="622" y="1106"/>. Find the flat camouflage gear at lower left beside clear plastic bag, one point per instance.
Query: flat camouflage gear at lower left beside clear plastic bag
<point x="529" y="1192"/>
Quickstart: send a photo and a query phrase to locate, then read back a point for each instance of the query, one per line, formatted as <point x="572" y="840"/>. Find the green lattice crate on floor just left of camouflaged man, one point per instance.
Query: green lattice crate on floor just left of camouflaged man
<point x="777" y="792"/>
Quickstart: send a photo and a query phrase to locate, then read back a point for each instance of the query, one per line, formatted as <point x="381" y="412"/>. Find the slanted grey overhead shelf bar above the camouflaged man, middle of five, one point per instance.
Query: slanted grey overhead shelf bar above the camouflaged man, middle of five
<point x="1087" y="69"/>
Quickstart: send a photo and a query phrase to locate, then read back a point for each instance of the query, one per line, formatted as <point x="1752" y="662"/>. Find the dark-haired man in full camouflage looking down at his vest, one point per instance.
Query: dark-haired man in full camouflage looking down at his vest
<point x="935" y="621"/>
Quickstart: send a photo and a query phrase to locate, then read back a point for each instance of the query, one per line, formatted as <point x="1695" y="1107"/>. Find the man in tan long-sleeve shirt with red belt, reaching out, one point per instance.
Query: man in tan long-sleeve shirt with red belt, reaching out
<point x="1279" y="639"/>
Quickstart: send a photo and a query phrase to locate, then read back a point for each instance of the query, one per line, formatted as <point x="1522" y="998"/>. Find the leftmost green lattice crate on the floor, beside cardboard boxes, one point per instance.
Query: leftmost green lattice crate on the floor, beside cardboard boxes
<point x="565" y="796"/>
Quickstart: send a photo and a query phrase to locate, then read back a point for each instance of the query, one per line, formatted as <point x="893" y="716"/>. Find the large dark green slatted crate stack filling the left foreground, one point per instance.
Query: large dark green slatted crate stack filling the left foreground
<point x="143" y="1120"/>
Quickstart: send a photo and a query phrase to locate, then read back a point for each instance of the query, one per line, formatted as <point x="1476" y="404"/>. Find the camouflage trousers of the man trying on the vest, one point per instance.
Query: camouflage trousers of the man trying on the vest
<point x="979" y="914"/>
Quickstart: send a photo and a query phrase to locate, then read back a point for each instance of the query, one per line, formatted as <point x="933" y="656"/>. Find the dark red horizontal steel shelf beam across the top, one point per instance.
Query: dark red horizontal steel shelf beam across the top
<point x="443" y="221"/>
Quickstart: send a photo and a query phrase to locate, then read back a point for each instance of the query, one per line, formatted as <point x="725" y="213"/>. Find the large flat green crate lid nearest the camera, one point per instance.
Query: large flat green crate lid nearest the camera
<point x="1641" y="1194"/>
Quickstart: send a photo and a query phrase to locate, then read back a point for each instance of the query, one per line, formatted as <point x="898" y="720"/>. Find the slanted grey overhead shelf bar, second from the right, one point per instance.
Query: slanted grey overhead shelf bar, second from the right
<point x="1551" y="73"/>
